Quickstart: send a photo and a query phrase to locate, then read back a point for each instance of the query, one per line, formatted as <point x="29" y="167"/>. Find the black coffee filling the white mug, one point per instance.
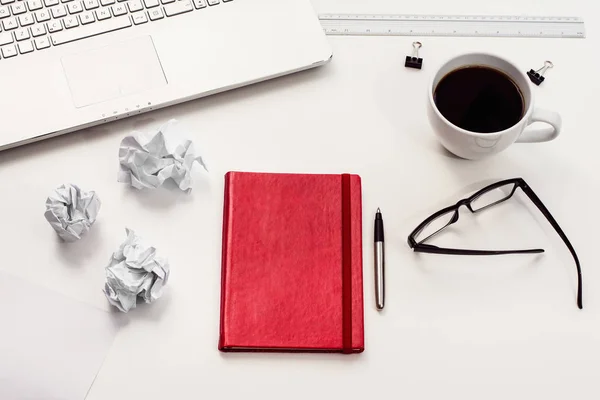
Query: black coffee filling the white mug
<point x="479" y="99"/>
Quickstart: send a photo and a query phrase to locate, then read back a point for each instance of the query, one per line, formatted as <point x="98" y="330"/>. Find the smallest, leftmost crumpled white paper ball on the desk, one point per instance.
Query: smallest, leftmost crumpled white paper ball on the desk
<point x="71" y="211"/>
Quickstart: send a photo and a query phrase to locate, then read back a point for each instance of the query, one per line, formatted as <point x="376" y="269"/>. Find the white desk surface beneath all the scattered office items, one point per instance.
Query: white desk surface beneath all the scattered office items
<point x="453" y="327"/>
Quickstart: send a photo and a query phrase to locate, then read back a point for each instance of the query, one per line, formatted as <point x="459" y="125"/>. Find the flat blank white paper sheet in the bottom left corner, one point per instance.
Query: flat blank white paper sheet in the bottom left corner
<point x="51" y="347"/>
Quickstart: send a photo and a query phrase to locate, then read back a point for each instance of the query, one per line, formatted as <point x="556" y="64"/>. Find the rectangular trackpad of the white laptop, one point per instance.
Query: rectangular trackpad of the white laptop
<point x="113" y="71"/>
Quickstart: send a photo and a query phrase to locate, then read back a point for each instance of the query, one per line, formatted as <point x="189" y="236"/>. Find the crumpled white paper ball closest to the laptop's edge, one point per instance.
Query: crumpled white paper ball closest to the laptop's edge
<point x="148" y="160"/>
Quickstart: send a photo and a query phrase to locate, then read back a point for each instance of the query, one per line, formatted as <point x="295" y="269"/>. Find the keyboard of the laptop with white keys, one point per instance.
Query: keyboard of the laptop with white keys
<point x="32" y="25"/>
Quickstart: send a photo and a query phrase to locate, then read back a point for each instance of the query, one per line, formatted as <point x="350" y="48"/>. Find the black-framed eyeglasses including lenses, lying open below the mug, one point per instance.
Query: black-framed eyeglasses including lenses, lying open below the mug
<point x="487" y="197"/>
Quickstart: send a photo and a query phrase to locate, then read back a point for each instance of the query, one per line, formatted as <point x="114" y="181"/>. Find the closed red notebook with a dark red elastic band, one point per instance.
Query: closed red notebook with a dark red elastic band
<point x="292" y="263"/>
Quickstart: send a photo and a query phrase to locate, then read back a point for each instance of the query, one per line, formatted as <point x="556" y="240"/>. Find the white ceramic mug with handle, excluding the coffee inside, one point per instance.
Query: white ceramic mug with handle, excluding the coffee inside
<point x="474" y="145"/>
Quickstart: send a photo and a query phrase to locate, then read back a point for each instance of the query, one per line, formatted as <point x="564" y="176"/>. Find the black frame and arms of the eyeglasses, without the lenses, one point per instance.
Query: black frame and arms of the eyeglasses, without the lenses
<point x="421" y="247"/>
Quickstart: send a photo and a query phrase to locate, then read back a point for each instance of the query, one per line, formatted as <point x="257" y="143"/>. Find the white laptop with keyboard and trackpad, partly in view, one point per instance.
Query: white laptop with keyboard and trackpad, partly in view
<point x="70" y="64"/>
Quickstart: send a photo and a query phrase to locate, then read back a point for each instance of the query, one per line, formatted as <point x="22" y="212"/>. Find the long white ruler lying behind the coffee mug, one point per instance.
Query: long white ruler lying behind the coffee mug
<point x="452" y="25"/>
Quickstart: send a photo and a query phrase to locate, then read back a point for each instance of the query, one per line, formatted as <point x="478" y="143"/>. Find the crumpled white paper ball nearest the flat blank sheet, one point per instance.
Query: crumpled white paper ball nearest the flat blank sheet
<point x="135" y="270"/>
